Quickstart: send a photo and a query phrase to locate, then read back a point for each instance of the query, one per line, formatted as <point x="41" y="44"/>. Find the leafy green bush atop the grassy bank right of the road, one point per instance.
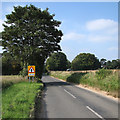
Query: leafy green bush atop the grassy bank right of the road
<point x="102" y="73"/>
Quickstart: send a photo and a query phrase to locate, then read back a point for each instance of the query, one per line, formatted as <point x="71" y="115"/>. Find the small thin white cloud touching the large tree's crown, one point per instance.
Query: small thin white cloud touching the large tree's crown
<point x="73" y="36"/>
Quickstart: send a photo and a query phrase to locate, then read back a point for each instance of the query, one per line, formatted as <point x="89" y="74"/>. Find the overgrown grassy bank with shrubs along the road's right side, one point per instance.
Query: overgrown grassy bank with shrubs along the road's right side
<point x="105" y="80"/>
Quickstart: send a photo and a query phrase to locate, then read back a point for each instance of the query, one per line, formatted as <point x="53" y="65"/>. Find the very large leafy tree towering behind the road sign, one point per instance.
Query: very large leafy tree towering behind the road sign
<point x="31" y="35"/>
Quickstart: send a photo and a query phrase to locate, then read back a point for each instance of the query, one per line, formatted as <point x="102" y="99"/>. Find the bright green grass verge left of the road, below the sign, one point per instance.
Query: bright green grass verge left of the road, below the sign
<point x="19" y="99"/>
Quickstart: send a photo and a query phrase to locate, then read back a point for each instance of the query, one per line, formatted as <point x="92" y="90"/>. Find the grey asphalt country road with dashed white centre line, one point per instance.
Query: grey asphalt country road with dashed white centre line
<point x="63" y="100"/>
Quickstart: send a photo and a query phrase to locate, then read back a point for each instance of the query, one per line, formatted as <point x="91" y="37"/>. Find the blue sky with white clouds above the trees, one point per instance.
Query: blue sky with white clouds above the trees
<point x="88" y="27"/>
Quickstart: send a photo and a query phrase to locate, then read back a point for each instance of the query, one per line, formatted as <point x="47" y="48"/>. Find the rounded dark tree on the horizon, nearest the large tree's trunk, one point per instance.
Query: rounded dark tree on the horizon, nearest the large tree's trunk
<point x="57" y="61"/>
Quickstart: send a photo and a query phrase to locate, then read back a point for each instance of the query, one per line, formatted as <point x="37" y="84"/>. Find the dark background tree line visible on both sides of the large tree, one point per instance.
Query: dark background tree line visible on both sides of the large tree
<point x="59" y="62"/>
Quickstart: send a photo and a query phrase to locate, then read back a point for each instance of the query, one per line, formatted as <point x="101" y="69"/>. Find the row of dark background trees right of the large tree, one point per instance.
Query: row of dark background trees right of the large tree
<point x="83" y="61"/>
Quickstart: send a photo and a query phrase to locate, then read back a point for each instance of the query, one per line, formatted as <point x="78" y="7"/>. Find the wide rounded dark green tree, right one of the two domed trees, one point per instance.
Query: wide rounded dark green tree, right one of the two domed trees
<point x="85" y="61"/>
